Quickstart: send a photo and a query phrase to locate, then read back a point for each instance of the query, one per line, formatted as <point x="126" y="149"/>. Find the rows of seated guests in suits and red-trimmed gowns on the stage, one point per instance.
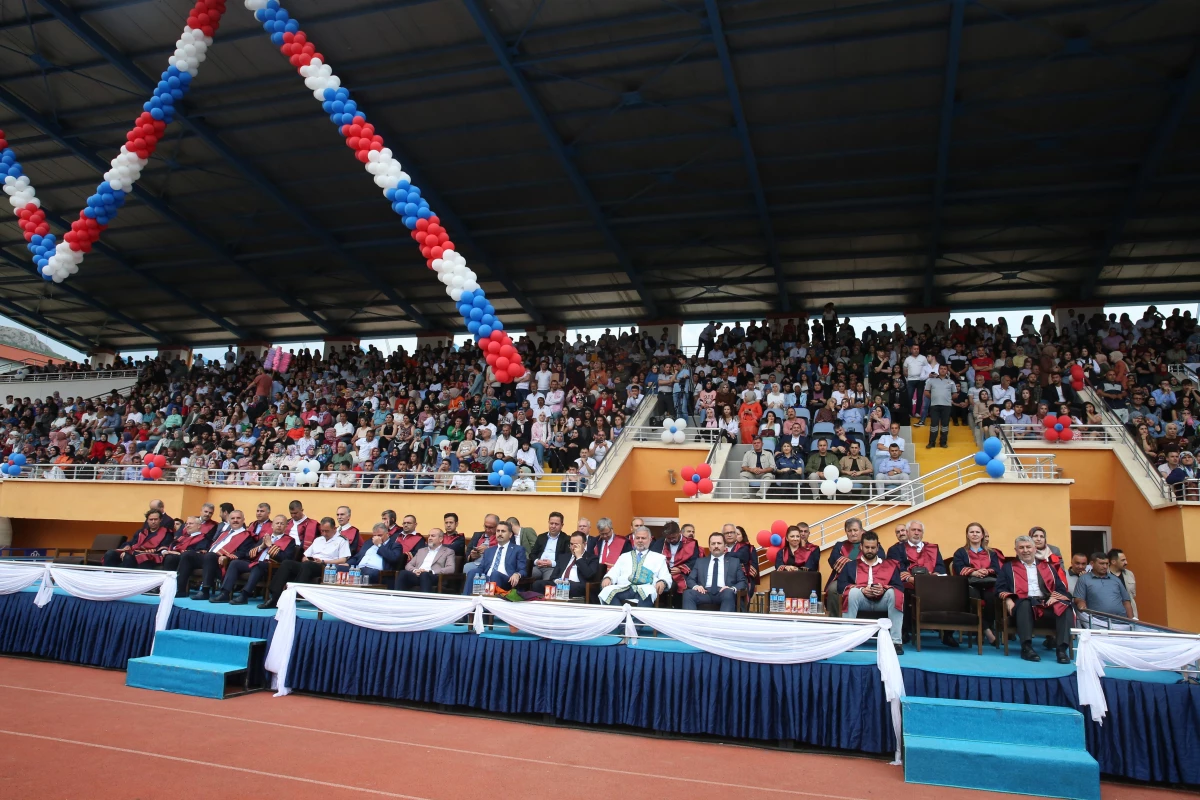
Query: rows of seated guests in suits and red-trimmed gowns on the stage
<point x="235" y="556"/>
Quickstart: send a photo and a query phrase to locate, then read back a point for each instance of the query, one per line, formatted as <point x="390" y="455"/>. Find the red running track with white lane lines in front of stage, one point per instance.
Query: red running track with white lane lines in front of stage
<point x="76" y="732"/>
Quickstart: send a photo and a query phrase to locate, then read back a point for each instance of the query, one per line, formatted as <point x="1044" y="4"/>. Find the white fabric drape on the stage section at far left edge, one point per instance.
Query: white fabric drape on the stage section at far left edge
<point x="89" y="584"/>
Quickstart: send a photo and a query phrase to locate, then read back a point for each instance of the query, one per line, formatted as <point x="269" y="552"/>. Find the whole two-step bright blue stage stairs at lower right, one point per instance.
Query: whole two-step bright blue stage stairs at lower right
<point x="1039" y="750"/>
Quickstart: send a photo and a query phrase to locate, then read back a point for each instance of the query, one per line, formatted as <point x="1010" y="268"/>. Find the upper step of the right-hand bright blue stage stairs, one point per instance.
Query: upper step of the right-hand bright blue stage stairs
<point x="1007" y="724"/>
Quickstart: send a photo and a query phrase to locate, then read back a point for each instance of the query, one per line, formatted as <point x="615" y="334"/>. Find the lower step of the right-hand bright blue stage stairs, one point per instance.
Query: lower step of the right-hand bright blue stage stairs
<point x="1017" y="769"/>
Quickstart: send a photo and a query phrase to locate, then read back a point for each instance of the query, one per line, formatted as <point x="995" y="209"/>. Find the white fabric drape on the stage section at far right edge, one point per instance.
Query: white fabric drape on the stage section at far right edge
<point x="1133" y="652"/>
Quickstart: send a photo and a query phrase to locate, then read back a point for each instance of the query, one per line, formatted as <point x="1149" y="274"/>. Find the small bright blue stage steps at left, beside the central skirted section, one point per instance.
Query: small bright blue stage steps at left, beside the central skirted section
<point x="202" y="665"/>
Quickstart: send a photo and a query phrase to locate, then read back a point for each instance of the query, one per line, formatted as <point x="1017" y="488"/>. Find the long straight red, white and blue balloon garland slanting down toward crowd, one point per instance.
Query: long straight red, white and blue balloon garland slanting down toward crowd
<point x="440" y="252"/>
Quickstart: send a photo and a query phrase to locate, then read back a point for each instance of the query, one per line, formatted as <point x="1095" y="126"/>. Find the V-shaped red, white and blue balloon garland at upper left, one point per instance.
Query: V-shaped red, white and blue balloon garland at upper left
<point x="58" y="260"/>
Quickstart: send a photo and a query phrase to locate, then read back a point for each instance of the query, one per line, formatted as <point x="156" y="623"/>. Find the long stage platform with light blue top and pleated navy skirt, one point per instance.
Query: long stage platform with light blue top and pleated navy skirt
<point x="659" y="685"/>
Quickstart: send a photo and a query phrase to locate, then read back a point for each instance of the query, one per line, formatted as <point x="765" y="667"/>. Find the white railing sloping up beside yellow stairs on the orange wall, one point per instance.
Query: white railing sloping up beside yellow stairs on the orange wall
<point x="946" y="479"/>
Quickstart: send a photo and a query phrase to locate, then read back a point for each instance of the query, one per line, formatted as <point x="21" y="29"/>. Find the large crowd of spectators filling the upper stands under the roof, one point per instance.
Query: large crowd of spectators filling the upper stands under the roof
<point x="814" y="394"/>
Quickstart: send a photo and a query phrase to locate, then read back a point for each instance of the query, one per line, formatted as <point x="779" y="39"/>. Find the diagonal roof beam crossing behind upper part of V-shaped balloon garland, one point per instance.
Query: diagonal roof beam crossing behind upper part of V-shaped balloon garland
<point x="140" y="79"/>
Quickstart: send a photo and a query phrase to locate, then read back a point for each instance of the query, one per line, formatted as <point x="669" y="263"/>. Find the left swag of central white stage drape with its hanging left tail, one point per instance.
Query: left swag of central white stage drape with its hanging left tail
<point x="391" y="612"/>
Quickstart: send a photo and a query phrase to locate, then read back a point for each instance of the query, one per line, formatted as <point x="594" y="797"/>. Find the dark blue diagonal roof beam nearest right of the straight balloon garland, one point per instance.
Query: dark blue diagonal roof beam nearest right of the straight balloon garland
<point x="494" y="39"/>
